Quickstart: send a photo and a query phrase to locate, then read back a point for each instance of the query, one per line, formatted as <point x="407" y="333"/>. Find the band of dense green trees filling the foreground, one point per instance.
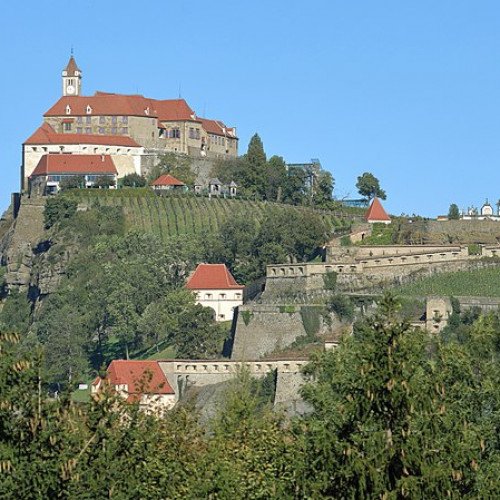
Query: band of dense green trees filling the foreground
<point x="395" y="413"/>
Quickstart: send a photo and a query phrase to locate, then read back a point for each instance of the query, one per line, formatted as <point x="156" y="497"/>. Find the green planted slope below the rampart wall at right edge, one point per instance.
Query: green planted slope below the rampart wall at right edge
<point x="480" y="282"/>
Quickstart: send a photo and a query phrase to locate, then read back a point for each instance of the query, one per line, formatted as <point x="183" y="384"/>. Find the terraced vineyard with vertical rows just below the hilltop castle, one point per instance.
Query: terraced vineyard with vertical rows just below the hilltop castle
<point x="177" y="215"/>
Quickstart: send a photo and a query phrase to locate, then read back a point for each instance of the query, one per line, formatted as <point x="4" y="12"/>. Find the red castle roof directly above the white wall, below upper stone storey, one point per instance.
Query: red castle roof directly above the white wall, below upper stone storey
<point x="47" y="135"/>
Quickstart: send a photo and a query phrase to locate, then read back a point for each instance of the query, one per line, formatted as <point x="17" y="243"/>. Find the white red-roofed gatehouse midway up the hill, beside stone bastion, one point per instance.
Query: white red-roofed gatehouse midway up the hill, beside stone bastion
<point x="215" y="287"/>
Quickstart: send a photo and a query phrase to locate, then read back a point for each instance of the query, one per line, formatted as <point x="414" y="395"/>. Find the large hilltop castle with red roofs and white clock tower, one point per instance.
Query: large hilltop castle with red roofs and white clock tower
<point x="132" y="130"/>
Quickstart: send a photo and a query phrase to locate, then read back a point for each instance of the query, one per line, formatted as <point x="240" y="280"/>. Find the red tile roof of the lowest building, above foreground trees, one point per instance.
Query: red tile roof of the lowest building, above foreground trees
<point x="141" y="377"/>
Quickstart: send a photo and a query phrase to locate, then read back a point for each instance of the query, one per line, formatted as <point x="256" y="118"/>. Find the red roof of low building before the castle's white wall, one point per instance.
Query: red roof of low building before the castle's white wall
<point x="75" y="164"/>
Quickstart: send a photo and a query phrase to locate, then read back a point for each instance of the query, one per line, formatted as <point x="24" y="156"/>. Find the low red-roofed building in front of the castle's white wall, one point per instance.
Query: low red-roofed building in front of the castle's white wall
<point x="53" y="168"/>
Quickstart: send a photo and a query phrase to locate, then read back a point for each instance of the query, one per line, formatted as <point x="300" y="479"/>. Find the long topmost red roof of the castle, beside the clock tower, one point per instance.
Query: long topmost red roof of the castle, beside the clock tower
<point x="103" y="103"/>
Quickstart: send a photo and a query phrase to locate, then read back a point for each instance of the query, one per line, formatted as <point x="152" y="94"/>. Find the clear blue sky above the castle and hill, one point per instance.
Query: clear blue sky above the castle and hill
<point x="407" y="90"/>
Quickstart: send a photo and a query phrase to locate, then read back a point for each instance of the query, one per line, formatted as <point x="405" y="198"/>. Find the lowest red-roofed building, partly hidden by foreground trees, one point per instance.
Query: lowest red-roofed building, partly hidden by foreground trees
<point x="138" y="381"/>
